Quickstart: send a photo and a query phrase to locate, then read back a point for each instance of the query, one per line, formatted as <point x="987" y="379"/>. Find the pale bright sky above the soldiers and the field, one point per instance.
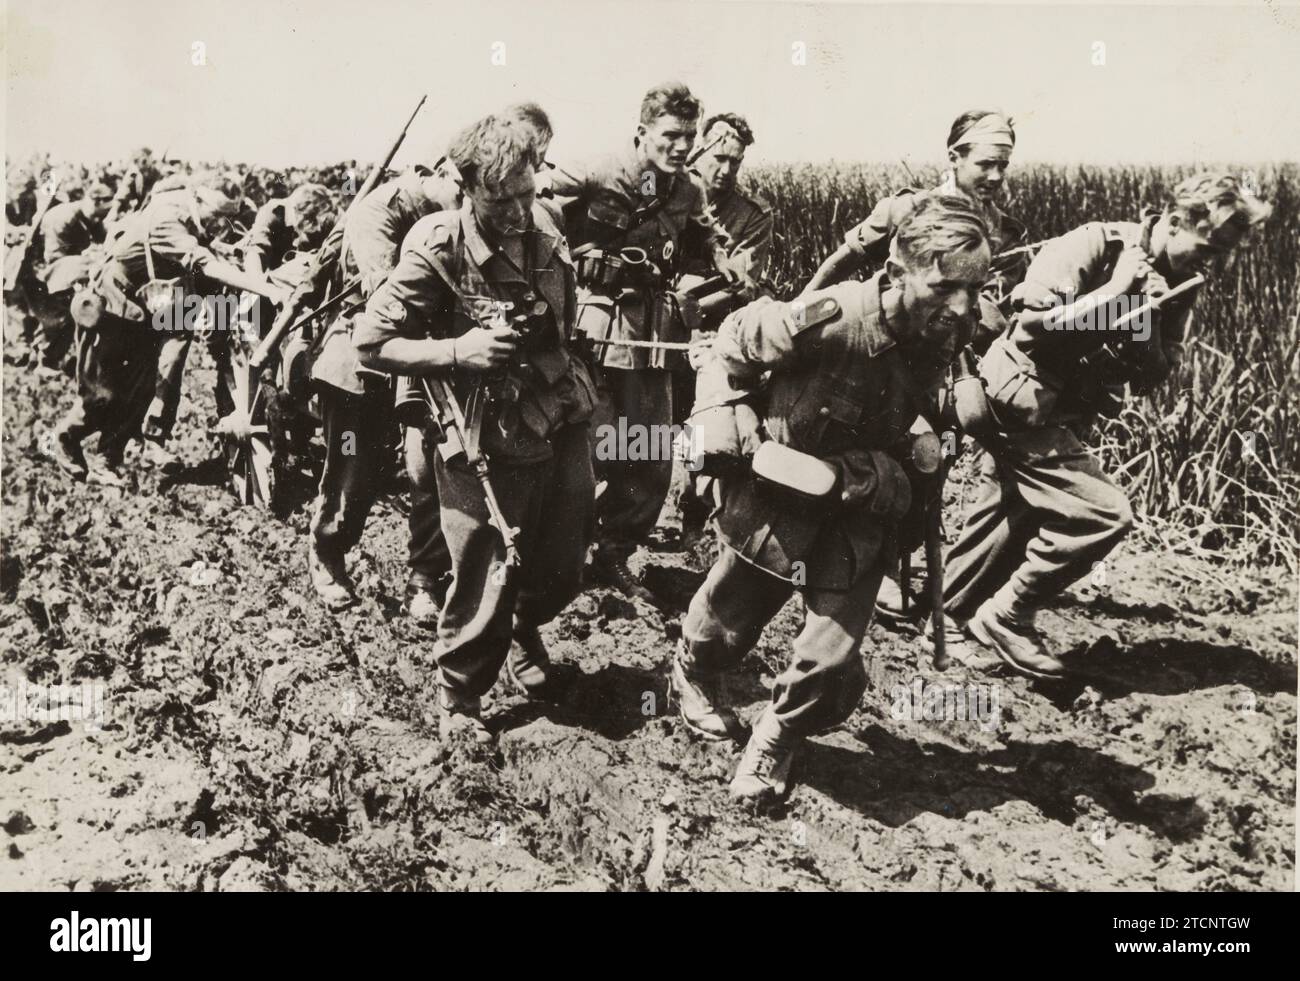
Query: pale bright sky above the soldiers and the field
<point x="315" y="81"/>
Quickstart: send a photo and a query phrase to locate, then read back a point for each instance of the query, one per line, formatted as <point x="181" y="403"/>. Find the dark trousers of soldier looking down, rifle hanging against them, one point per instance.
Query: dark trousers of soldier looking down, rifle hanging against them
<point x="552" y="505"/>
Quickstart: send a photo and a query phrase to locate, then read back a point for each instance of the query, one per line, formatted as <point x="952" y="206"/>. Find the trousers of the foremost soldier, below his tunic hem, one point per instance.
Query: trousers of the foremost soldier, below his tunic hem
<point x="826" y="678"/>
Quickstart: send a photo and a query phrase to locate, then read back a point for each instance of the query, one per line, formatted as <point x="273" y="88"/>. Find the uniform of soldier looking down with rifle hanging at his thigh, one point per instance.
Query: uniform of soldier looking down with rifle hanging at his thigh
<point x="535" y="433"/>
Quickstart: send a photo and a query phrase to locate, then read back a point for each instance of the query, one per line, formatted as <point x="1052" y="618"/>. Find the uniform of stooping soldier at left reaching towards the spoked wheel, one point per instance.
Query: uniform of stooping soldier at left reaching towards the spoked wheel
<point x="119" y="366"/>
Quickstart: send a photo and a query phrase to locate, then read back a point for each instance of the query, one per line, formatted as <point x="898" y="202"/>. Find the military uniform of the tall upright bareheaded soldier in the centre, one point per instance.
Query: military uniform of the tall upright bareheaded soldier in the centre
<point x="623" y="203"/>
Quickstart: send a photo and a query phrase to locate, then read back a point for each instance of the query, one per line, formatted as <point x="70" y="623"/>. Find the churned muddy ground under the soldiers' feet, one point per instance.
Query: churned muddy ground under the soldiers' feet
<point x="255" y="741"/>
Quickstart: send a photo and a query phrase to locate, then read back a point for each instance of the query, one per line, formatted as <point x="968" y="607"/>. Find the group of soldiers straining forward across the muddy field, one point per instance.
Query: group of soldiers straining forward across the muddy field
<point x="515" y="309"/>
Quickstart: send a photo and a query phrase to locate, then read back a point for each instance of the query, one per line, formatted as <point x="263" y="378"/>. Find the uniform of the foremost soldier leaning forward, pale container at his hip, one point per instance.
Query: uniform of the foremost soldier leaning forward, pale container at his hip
<point x="840" y="390"/>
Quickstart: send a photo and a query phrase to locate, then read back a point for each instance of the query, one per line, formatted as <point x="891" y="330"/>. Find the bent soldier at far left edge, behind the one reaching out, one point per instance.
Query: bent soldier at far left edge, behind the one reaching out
<point x="68" y="232"/>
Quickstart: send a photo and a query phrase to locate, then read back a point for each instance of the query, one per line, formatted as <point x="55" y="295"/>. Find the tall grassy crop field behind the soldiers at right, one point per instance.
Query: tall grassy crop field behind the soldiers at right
<point x="1186" y="454"/>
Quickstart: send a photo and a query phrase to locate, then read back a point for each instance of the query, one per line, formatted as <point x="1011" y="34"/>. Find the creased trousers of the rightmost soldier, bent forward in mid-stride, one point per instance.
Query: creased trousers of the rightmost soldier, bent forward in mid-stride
<point x="1046" y="513"/>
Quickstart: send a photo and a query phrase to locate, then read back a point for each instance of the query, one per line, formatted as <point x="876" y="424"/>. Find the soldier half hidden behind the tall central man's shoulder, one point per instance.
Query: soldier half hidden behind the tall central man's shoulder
<point x="748" y="227"/>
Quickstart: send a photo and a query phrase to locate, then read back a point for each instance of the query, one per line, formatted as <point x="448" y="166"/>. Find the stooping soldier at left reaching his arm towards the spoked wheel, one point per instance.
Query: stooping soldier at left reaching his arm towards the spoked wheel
<point x="119" y="344"/>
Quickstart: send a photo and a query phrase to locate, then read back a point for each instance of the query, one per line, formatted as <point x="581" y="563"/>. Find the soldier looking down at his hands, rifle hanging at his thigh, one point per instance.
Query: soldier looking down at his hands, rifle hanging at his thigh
<point x="528" y="402"/>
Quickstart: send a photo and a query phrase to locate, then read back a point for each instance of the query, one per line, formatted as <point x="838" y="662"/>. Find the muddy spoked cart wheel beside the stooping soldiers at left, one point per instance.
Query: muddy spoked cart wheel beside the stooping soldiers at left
<point x="249" y="449"/>
